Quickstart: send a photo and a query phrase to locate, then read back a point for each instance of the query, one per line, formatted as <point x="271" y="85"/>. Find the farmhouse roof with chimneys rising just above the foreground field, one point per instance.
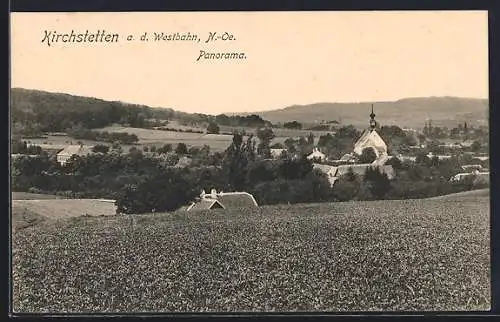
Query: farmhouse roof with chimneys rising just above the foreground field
<point x="223" y="200"/>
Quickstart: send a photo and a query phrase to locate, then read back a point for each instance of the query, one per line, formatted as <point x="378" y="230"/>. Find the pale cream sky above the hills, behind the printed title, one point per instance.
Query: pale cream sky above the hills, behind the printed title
<point x="291" y="57"/>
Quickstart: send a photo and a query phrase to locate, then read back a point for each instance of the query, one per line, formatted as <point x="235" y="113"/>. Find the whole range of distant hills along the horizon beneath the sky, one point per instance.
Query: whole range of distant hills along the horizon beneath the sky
<point x="53" y="112"/>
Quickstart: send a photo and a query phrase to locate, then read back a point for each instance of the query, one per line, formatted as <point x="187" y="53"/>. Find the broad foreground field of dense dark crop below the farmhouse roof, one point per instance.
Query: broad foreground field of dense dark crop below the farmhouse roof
<point x="383" y="255"/>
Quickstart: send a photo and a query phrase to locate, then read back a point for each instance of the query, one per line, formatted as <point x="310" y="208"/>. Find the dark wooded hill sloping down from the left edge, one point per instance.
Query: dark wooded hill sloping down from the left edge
<point x="35" y="111"/>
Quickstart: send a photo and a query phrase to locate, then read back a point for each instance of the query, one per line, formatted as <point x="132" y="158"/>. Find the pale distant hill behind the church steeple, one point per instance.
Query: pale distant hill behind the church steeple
<point x="408" y="112"/>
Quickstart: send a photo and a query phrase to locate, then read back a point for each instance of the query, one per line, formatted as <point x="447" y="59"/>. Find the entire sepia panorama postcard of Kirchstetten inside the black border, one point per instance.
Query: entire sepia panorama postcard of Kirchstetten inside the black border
<point x="249" y="162"/>
